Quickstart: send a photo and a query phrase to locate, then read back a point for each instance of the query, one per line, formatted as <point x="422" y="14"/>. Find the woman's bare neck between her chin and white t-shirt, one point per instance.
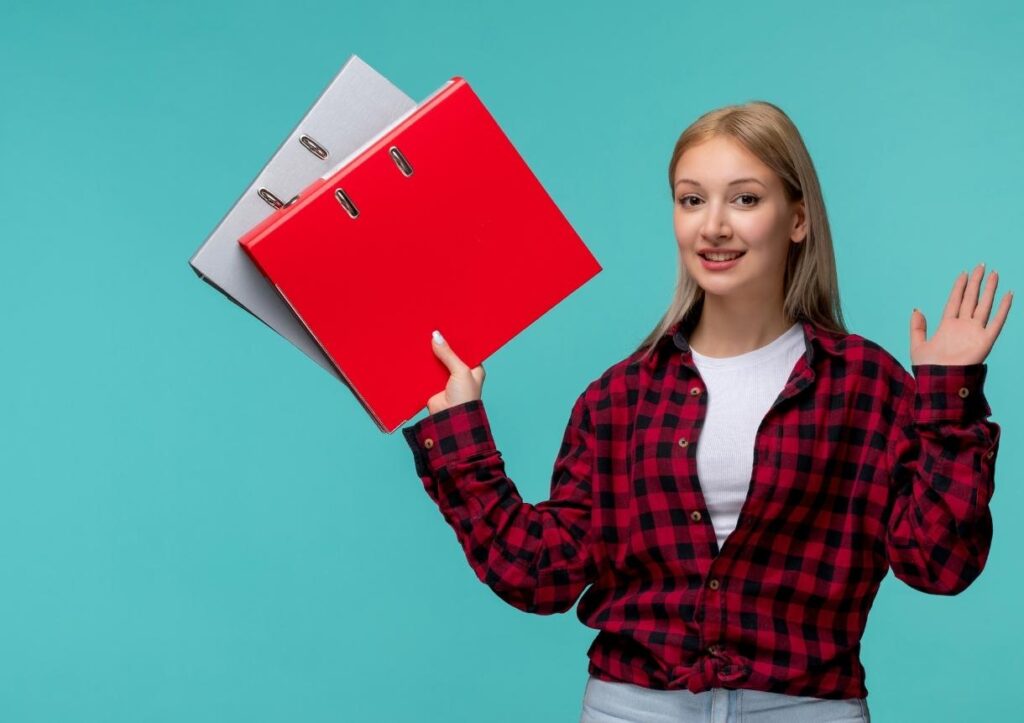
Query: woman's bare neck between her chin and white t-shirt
<point x="730" y="327"/>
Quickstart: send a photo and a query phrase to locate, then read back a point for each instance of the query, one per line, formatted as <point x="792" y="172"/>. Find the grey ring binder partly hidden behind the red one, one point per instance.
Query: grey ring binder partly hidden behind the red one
<point x="356" y="107"/>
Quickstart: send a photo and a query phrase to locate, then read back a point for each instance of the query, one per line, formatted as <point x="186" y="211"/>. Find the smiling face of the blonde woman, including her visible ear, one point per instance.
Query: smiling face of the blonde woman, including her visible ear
<point x="728" y="200"/>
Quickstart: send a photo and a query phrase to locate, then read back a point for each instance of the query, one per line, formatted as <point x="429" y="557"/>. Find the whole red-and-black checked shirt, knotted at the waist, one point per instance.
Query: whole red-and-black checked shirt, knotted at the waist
<point x="859" y="466"/>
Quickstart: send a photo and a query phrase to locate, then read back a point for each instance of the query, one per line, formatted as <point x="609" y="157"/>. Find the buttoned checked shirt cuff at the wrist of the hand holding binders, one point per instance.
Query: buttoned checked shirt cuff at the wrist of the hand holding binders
<point x="452" y="435"/>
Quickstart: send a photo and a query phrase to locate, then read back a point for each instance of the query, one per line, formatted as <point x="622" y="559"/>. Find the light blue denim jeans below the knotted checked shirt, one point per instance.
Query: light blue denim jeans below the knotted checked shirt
<point x="621" y="703"/>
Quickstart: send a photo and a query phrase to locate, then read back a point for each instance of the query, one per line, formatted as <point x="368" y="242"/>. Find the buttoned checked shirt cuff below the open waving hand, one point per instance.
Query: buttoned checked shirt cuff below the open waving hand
<point x="951" y="393"/>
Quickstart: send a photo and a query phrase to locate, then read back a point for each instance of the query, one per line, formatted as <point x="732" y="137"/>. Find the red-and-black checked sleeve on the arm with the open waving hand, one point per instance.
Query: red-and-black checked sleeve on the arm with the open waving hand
<point x="942" y="460"/>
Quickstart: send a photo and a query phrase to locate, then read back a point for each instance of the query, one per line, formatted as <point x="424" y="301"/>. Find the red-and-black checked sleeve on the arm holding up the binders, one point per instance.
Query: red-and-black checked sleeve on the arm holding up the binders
<point x="538" y="559"/>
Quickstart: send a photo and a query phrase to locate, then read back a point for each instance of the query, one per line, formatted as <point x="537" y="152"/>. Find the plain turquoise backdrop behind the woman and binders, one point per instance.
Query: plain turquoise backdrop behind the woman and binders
<point x="198" y="524"/>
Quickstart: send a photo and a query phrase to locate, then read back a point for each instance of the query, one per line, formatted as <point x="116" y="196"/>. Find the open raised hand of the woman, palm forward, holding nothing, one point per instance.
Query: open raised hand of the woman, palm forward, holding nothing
<point x="965" y="335"/>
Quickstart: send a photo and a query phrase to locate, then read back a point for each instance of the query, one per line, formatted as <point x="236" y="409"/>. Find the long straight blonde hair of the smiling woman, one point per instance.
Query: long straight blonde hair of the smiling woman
<point x="812" y="287"/>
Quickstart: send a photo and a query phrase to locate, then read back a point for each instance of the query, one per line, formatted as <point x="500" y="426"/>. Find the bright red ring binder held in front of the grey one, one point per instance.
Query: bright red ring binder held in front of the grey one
<point x="439" y="224"/>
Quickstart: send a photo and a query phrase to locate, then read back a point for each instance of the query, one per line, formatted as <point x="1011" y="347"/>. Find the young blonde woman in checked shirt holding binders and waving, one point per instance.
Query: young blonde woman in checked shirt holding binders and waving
<point x="735" y="491"/>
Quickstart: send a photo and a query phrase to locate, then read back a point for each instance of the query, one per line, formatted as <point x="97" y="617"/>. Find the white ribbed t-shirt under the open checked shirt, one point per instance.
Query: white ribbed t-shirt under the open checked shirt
<point x="741" y="391"/>
